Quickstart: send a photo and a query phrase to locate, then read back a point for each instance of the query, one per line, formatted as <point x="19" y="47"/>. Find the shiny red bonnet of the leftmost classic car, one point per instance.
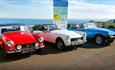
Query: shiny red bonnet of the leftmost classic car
<point x="20" y="37"/>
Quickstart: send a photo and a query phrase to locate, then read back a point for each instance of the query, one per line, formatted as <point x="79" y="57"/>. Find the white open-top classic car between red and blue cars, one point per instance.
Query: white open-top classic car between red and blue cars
<point x="61" y="37"/>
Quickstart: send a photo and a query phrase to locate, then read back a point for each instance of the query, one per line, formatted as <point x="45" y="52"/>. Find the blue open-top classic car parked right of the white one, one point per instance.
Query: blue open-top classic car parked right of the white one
<point x="99" y="35"/>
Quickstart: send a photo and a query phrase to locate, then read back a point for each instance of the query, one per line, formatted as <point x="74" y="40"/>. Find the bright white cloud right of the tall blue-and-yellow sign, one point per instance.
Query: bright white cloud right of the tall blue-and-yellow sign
<point x="83" y="9"/>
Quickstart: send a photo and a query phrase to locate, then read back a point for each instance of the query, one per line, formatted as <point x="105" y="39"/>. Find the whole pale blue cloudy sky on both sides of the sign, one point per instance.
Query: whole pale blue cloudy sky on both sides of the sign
<point x="43" y="9"/>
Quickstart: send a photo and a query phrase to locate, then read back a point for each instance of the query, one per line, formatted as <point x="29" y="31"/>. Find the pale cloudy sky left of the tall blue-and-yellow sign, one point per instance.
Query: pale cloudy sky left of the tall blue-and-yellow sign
<point x="26" y="9"/>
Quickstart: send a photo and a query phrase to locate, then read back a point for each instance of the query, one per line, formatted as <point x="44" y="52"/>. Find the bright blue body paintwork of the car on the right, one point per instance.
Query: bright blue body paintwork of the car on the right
<point x="91" y="32"/>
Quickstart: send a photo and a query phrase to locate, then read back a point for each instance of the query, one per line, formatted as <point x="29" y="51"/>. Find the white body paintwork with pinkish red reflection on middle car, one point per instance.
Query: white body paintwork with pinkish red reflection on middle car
<point x="64" y="34"/>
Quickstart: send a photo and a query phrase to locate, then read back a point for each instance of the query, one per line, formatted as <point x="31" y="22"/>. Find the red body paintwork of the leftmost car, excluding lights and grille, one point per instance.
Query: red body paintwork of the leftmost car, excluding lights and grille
<point x="19" y="37"/>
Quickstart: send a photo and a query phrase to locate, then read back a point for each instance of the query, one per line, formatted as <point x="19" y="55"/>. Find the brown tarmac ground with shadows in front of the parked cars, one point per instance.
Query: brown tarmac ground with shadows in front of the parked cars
<point x="89" y="57"/>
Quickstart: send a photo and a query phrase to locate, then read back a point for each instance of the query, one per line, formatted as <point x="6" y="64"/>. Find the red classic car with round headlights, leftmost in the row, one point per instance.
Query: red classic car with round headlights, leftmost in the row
<point x="19" y="39"/>
